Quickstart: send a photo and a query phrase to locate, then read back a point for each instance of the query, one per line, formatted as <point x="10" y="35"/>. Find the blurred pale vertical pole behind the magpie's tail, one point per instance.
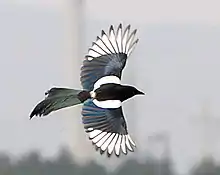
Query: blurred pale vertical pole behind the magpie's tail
<point x="76" y="138"/>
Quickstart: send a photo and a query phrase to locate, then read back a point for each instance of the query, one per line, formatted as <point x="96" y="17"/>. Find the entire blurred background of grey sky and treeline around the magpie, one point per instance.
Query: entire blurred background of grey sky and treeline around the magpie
<point x="176" y="63"/>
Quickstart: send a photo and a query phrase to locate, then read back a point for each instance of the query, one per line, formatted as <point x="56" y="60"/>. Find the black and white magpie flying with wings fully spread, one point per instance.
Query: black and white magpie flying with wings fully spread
<point x="102" y="93"/>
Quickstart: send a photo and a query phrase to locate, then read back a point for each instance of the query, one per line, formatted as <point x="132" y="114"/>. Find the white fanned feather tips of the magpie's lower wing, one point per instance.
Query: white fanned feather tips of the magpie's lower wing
<point x="110" y="142"/>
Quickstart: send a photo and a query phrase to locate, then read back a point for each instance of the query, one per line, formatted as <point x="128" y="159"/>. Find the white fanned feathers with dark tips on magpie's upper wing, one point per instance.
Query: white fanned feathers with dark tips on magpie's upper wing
<point x="113" y="43"/>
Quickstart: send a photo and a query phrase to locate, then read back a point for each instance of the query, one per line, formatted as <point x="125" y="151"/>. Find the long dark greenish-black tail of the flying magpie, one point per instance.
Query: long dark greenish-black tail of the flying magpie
<point x="58" y="98"/>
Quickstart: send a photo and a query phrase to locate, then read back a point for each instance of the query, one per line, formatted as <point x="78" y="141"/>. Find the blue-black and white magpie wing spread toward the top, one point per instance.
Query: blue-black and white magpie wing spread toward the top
<point x="108" y="55"/>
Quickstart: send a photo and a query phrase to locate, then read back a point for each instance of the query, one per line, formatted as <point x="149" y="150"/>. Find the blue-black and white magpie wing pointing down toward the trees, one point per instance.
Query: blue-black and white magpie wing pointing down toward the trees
<point x="107" y="128"/>
